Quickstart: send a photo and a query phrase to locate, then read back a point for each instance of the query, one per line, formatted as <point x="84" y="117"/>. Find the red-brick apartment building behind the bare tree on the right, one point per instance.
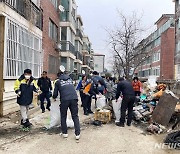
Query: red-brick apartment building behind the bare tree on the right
<point x="161" y="47"/>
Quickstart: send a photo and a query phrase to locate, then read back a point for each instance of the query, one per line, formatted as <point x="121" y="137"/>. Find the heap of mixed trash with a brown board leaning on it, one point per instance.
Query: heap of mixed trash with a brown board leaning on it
<point x="156" y="106"/>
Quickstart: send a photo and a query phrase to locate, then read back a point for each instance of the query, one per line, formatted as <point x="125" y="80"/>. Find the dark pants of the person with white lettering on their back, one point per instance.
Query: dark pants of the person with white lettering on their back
<point x="73" y="106"/>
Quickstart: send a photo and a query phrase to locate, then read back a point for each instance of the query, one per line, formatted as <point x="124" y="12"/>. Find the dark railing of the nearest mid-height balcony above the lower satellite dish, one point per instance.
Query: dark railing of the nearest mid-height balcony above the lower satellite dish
<point x="67" y="46"/>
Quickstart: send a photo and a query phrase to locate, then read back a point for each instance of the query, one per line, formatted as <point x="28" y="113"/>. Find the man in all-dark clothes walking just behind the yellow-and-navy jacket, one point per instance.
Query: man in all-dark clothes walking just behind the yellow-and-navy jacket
<point x="45" y="86"/>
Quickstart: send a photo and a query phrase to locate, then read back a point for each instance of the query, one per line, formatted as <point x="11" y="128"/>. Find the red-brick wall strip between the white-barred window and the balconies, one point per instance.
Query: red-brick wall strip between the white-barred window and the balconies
<point x="51" y="55"/>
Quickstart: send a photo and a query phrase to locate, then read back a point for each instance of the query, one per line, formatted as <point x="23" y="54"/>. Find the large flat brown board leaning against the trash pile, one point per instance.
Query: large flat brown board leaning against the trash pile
<point x="164" y="109"/>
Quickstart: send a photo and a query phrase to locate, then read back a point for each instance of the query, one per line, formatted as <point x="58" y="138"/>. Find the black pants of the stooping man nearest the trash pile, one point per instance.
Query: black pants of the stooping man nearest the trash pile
<point x="127" y="104"/>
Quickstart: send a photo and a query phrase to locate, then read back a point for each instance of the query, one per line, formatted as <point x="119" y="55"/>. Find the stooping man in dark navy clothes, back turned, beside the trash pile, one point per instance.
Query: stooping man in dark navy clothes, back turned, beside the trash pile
<point x="125" y="87"/>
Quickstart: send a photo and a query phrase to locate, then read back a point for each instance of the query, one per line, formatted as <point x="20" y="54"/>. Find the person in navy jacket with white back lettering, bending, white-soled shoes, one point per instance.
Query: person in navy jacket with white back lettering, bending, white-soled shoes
<point x="69" y="99"/>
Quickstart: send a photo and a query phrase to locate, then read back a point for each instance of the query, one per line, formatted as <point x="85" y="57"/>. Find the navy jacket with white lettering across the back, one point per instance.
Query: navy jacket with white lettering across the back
<point x="64" y="85"/>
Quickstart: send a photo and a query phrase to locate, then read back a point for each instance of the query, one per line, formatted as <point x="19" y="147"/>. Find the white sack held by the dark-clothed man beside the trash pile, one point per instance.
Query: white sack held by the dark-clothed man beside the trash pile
<point x="117" y="108"/>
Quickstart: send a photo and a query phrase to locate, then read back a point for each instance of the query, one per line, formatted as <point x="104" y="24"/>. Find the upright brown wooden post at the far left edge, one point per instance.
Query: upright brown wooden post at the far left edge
<point x="2" y="29"/>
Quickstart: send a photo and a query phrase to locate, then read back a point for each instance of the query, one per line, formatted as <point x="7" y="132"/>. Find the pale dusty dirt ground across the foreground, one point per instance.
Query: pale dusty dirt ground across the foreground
<point x="107" y="139"/>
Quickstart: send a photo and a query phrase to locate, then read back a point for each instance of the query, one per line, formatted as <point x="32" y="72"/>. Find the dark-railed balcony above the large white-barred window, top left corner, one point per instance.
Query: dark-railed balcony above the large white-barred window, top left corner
<point x="26" y="9"/>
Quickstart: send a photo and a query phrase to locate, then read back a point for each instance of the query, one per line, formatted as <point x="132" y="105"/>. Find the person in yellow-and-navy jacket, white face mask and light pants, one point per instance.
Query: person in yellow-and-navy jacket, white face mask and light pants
<point x="24" y="88"/>
